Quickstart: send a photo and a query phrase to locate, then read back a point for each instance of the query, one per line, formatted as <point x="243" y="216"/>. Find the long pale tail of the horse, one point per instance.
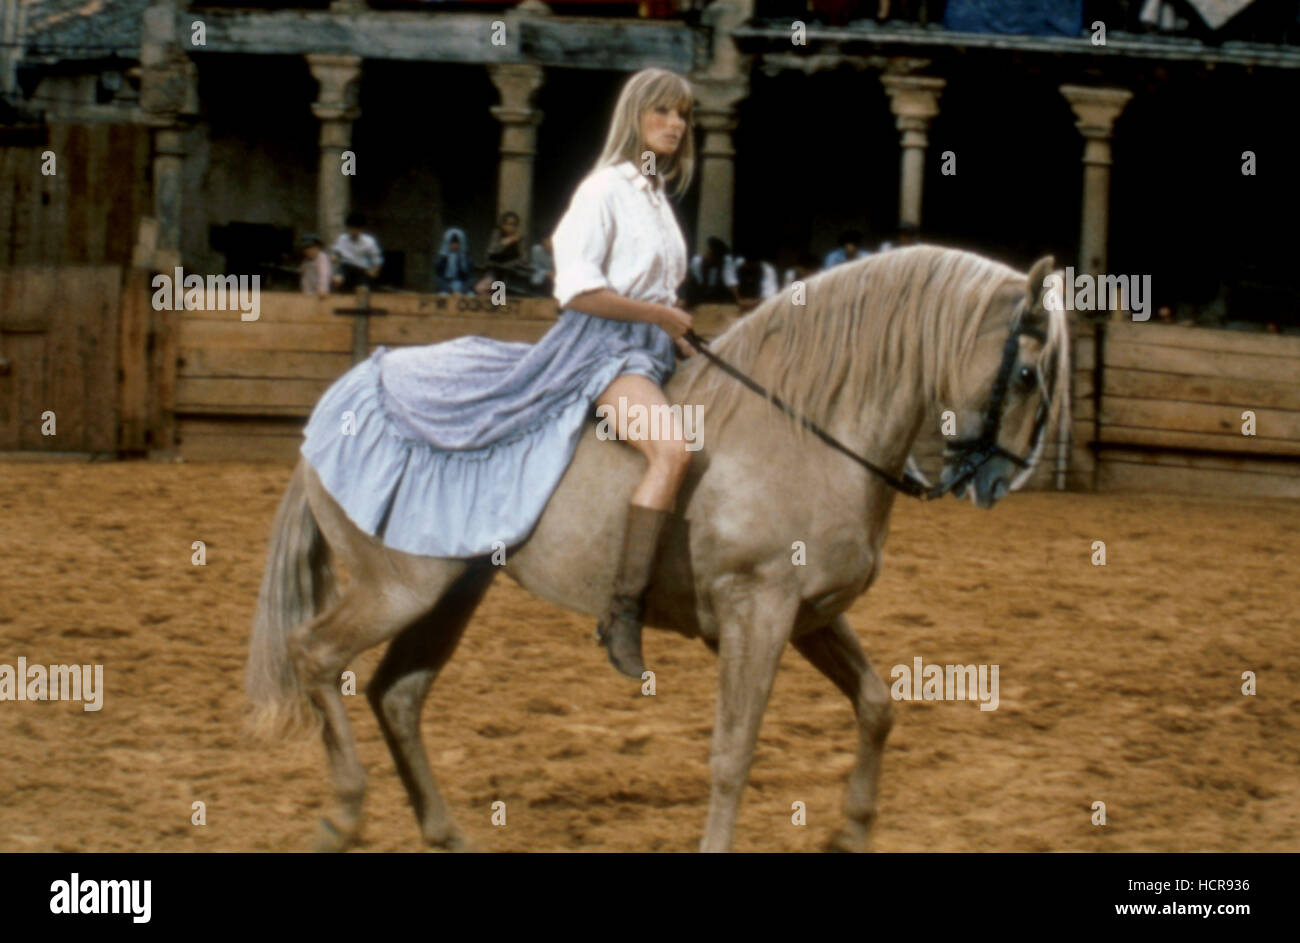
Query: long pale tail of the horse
<point x="298" y="583"/>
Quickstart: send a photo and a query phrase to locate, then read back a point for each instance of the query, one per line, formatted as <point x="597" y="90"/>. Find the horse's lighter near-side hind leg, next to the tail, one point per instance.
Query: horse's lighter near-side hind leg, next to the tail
<point x="369" y="613"/>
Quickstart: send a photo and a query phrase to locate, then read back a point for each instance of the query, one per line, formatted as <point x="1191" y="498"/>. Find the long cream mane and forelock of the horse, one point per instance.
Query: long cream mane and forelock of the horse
<point x="865" y="328"/>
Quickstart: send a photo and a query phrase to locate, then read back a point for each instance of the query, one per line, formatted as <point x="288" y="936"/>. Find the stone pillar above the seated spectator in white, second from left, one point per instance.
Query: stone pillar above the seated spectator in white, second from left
<point x="336" y="107"/>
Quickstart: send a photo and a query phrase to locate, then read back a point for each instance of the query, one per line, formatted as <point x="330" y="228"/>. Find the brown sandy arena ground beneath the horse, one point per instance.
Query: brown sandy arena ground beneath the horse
<point x="1119" y="685"/>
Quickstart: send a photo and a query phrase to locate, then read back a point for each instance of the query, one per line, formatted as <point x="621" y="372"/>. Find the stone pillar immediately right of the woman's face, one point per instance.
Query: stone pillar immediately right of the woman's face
<point x="716" y="163"/>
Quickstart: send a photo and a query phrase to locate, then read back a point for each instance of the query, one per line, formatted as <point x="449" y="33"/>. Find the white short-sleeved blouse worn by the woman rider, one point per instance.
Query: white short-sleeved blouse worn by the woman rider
<point x="619" y="233"/>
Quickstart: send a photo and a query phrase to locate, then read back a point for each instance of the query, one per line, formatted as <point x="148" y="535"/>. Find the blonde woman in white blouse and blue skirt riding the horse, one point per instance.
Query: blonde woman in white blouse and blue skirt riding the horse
<point x="457" y="448"/>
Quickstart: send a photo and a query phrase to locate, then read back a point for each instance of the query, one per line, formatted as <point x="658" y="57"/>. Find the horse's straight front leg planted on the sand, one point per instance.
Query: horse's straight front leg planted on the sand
<point x="755" y="622"/>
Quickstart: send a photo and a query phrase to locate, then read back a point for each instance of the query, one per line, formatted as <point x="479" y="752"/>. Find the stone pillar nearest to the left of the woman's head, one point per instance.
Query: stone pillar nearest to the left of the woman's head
<point x="519" y="119"/>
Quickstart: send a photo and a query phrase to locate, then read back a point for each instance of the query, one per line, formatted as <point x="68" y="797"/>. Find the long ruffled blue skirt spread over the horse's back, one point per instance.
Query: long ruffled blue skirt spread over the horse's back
<point x="448" y="449"/>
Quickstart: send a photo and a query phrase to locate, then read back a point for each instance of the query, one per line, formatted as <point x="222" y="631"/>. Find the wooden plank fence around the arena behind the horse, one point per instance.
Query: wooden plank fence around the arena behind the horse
<point x="1156" y="408"/>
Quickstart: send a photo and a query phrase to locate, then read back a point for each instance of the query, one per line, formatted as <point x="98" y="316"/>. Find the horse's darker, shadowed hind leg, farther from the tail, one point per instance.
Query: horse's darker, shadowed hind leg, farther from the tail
<point x="398" y="691"/>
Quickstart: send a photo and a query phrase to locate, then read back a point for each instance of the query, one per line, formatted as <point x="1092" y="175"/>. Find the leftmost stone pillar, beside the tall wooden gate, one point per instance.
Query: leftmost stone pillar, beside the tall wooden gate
<point x="170" y="100"/>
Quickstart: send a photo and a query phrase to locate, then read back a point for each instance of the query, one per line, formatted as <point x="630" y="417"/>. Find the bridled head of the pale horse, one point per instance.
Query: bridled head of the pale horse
<point x="1008" y="392"/>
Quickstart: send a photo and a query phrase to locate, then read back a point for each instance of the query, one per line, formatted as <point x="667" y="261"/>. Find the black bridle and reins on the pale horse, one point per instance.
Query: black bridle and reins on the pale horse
<point x="970" y="453"/>
